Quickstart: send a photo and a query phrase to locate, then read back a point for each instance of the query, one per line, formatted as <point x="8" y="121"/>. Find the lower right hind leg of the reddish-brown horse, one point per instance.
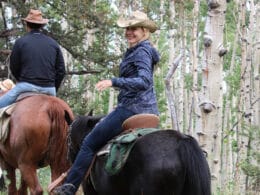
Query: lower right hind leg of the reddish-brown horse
<point x="29" y="176"/>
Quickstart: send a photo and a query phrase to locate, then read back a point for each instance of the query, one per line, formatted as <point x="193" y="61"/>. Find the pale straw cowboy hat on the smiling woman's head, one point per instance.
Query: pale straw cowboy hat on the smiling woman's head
<point x="137" y="19"/>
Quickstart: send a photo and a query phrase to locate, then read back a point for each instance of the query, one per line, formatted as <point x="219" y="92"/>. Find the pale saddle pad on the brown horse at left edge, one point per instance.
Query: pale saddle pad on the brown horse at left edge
<point x="5" y="114"/>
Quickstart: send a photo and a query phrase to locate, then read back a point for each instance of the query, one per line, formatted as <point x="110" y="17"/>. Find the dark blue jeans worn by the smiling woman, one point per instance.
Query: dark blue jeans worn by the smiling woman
<point x="104" y="131"/>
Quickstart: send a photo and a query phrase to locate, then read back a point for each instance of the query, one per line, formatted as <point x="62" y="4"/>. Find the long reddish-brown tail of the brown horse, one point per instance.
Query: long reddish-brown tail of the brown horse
<point x="61" y="116"/>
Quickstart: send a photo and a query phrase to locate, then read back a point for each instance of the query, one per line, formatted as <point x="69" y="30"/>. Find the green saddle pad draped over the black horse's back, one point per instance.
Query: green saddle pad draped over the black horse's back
<point x="121" y="147"/>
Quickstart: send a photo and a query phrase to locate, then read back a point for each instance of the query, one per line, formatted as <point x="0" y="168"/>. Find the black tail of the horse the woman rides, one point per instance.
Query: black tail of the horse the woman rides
<point x="197" y="181"/>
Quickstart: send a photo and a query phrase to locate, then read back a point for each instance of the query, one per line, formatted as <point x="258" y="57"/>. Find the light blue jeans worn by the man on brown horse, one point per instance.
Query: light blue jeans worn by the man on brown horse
<point x="11" y="96"/>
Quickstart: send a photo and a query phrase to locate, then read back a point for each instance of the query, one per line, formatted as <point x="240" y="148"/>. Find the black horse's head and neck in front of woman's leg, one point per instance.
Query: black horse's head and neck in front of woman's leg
<point x="79" y="128"/>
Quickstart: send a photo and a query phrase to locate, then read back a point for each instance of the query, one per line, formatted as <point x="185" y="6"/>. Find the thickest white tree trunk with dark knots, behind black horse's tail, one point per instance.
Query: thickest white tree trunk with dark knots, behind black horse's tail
<point x="211" y="104"/>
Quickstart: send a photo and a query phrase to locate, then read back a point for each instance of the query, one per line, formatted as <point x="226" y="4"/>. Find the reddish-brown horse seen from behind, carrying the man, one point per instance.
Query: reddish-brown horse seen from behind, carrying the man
<point x="37" y="138"/>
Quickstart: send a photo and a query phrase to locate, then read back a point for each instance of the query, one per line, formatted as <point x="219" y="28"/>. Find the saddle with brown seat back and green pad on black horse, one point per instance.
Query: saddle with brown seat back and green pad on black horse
<point x="119" y="148"/>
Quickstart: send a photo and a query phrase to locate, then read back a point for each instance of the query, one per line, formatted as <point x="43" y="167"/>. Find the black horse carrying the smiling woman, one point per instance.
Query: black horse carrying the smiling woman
<point x="164" y="162"/>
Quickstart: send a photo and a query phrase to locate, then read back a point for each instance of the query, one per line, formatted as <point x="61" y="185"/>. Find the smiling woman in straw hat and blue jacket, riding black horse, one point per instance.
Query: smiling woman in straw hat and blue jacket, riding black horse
<point x="136" y="95"/>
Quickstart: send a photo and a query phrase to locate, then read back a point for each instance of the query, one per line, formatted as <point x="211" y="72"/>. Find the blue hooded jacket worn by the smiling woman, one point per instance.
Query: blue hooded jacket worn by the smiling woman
<point x="135" y="79"/>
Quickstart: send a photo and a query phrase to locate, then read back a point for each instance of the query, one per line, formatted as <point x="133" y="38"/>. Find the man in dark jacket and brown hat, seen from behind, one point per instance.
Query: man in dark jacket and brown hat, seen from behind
<point x="36" y="61"/>
